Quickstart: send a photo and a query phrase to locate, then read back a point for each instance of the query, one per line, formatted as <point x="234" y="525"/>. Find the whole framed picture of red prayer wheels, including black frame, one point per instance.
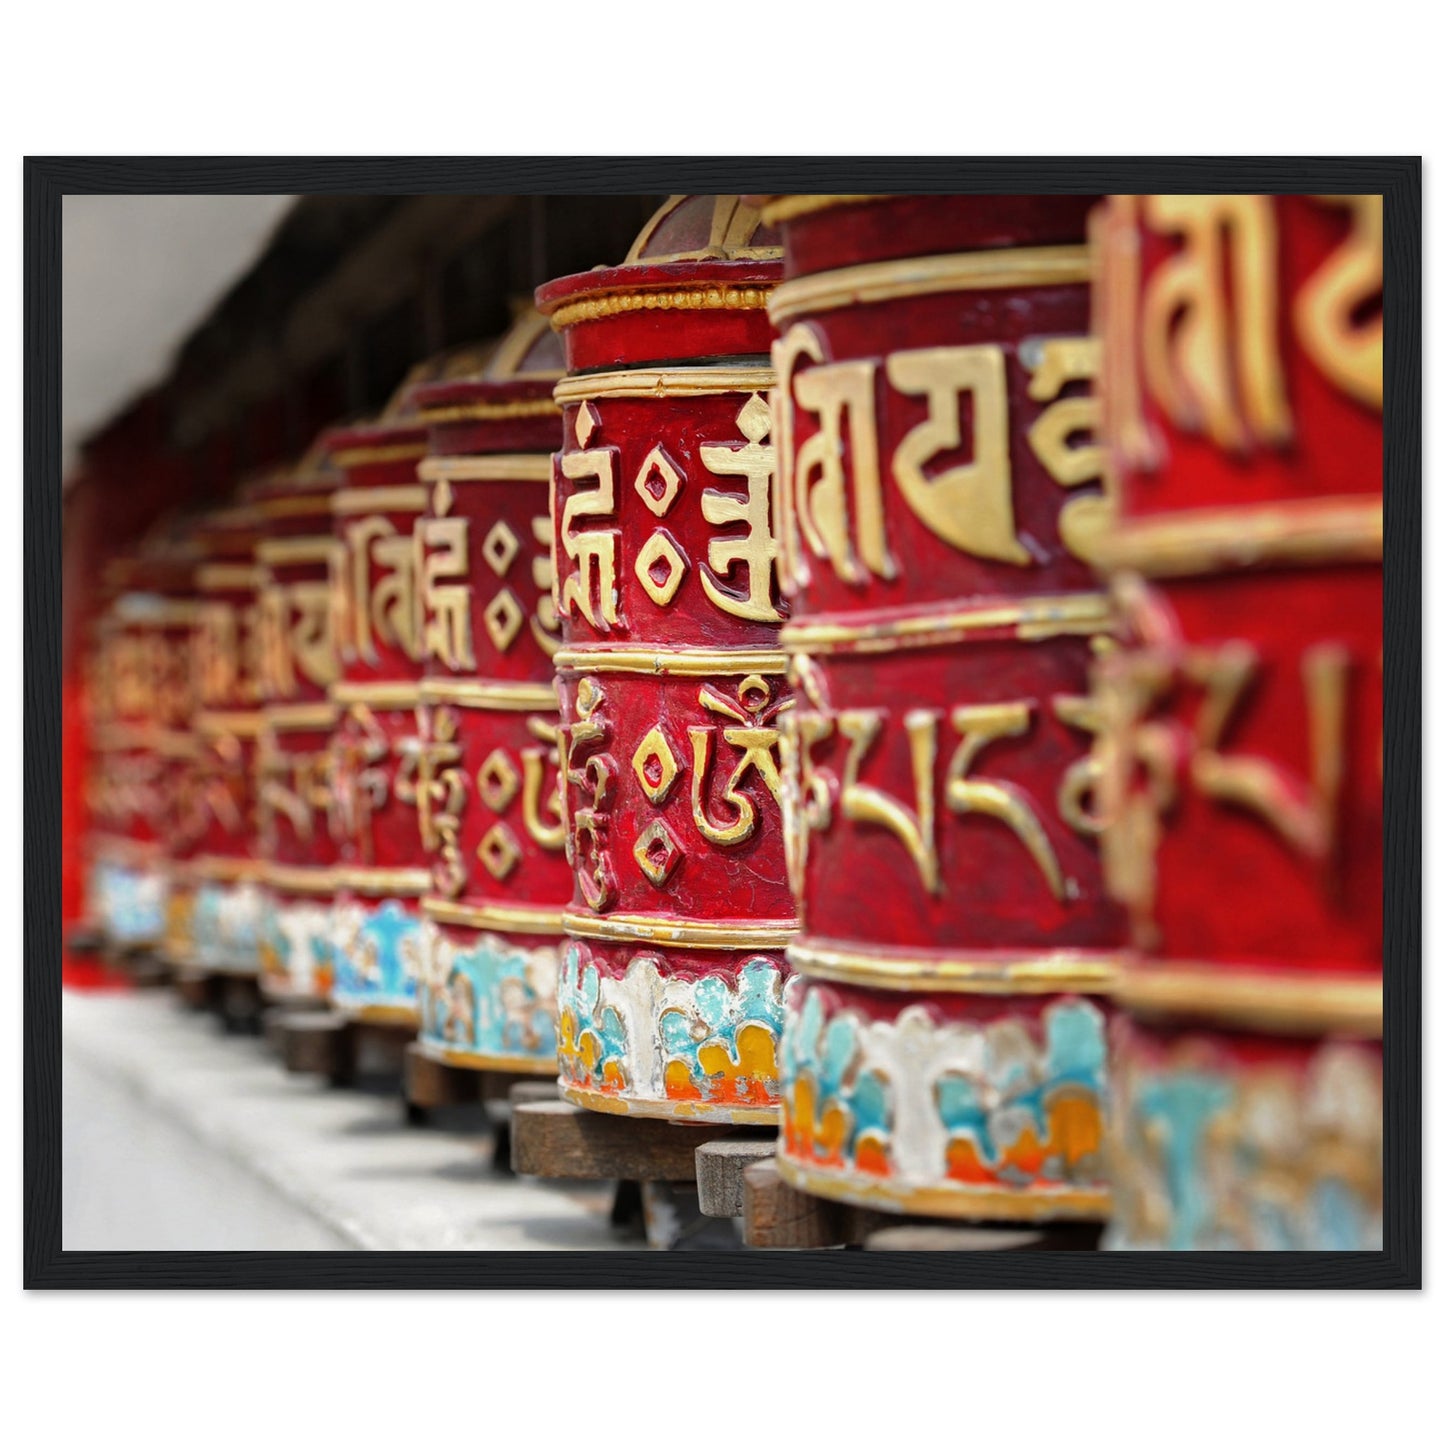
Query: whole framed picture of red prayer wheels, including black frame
<point x="606" y="735"/>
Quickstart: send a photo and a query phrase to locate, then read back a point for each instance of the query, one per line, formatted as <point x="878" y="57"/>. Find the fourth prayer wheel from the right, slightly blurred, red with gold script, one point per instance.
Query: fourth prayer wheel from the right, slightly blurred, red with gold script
<point x="483" y="771"/>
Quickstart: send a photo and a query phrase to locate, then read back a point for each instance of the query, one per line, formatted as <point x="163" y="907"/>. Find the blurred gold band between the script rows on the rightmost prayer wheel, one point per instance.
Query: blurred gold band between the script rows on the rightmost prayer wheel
<point x="1284" y="534"/>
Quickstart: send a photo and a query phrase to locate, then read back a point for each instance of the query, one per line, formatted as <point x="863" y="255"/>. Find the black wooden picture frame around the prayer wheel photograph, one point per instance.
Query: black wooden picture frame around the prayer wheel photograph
<point x="48" y="1265"/>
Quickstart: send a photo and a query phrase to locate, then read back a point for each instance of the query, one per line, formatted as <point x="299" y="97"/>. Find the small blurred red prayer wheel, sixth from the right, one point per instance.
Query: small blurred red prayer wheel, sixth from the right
<point x="300" y="573"/>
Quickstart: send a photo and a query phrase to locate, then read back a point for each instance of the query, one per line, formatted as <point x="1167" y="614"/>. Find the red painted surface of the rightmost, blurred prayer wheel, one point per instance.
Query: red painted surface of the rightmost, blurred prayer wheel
<point x="1233" y="885"/>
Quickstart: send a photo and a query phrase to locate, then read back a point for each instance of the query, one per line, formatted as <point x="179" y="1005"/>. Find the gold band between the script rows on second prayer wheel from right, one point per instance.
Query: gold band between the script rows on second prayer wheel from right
<point x="1032" y="619"/>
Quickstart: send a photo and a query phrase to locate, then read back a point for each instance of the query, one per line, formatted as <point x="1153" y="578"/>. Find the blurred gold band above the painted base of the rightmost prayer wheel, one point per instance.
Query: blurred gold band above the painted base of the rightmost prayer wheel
<point x="1271" y="1004"/>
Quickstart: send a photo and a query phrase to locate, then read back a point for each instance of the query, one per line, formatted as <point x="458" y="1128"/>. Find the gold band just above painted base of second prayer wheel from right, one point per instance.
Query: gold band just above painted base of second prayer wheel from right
<point x="1066" y="970"/>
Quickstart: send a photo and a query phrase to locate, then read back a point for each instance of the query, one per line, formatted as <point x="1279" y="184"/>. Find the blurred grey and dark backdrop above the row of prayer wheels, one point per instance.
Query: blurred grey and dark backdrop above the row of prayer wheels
<point x="206" y="339"/>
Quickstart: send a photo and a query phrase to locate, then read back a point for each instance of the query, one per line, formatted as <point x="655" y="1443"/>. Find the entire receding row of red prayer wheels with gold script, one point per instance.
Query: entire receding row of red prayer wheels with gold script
<point x="905" y="668"/>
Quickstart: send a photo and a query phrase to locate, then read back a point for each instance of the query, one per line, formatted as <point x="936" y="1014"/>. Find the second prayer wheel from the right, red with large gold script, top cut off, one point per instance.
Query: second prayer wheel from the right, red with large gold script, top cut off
<point x="941" y="502"/>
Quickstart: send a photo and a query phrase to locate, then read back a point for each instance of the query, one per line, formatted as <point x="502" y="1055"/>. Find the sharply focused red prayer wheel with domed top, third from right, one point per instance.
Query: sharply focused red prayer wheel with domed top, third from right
<point x="671" y="676"/>
